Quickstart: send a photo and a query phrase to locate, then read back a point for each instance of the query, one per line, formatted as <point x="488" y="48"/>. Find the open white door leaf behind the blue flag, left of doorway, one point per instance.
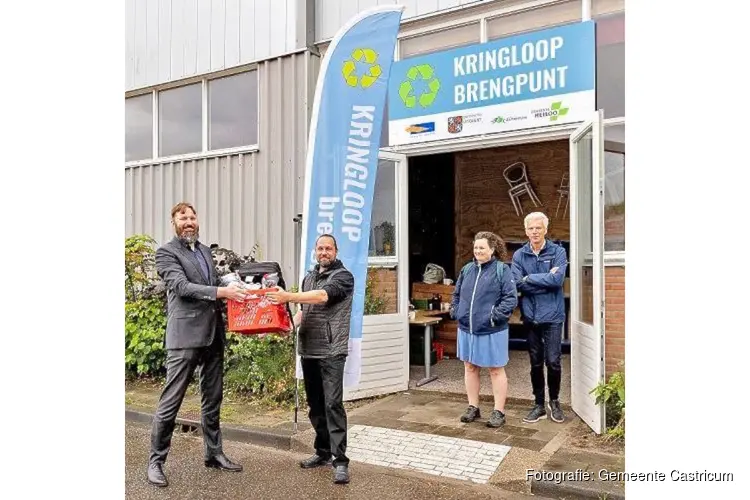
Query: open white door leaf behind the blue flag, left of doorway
<point x="385" y="336"/>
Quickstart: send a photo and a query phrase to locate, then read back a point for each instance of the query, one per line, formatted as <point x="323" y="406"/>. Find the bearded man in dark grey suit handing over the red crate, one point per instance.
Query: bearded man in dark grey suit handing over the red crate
<point x="195" y="339"/>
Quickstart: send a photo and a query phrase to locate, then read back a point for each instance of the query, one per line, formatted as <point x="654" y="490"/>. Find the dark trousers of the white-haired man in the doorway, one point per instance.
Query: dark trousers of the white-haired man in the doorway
<point x="545" y="348"/>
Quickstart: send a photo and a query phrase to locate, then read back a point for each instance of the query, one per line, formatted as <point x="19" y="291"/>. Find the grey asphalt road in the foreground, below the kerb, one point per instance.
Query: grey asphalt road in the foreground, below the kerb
<point x="274" y="474"/>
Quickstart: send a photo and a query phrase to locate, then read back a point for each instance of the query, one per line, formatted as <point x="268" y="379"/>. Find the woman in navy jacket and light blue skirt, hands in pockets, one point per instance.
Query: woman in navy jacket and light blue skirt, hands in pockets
<point x="483" y="301"/>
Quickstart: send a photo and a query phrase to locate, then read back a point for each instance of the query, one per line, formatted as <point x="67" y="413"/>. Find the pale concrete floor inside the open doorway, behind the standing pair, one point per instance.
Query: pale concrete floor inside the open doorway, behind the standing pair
<point x="450" y="379"/>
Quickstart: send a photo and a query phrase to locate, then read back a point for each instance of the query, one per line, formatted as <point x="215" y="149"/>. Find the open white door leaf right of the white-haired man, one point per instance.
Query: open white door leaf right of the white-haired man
<point x="587" y="269"/>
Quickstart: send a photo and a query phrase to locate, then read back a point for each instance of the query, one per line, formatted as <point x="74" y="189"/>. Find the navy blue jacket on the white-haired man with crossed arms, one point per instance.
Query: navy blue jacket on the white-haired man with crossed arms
<point x="542" y="299"/>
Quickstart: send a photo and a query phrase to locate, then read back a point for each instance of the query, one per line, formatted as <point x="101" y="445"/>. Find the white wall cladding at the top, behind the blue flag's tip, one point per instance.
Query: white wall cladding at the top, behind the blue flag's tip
<point x="330" y="15"/>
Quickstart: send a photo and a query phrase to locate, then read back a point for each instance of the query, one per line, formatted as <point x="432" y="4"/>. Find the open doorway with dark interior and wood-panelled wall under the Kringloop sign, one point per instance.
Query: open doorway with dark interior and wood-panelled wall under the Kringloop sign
<point x="454" y="195"/>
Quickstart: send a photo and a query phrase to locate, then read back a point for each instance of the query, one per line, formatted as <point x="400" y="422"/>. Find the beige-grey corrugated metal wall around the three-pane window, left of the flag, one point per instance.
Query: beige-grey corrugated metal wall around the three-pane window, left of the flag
<point x="241" y="199"/>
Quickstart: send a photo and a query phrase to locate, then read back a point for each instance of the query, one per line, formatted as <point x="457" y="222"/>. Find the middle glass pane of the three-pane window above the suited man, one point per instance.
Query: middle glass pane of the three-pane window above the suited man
<point x="180" y="126"/>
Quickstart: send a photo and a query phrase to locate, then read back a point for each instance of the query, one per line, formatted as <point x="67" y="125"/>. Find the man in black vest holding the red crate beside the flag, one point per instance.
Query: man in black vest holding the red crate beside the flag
<point x="326" y="299"/>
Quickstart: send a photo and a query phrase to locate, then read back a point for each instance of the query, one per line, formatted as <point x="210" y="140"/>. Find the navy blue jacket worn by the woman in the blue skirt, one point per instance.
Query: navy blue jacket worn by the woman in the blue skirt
<point x="482" y="304"/>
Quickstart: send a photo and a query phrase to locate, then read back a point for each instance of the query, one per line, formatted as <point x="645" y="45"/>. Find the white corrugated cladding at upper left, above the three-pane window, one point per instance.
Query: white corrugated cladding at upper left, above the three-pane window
<point x="167" y="40"/>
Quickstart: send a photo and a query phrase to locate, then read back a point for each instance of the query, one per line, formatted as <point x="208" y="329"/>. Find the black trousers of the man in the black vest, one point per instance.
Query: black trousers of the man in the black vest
<point x="324" y="386"/>
